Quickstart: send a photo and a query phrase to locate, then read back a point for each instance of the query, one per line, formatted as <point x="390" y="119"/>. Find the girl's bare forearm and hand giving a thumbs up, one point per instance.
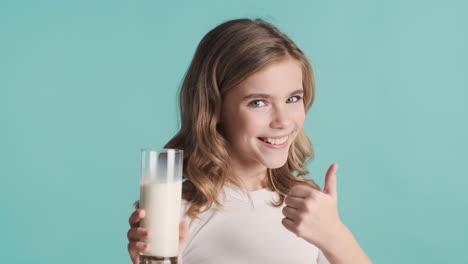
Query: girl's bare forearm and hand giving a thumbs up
<point x="313" y="216"/>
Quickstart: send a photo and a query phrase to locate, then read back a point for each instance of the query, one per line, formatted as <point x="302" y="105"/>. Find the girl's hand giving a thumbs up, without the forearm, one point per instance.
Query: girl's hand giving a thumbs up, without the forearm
<point x="312" y="214"/>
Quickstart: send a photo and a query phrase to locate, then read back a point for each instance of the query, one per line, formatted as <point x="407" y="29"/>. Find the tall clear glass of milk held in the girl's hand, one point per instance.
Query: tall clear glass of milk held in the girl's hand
<point x="160" y="197"/>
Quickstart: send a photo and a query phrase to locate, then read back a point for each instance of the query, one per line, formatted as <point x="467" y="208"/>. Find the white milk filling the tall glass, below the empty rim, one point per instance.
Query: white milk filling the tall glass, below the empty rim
<point x="161" y="202"/>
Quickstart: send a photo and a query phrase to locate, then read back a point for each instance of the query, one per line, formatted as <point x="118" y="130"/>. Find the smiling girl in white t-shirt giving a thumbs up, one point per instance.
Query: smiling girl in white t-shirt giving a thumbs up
<point x="243" y="103"/>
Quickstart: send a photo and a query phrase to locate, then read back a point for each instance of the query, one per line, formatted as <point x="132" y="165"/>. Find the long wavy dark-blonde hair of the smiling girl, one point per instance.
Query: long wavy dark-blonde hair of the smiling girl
<point x="225" y="57"/>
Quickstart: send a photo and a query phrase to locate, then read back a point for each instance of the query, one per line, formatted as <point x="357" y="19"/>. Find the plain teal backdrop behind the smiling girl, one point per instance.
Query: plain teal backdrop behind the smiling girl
<point x="86" y="84"/>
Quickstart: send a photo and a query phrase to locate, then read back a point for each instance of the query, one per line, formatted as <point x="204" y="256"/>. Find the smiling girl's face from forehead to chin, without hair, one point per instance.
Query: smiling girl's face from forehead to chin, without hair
<point x="261" y="117"/>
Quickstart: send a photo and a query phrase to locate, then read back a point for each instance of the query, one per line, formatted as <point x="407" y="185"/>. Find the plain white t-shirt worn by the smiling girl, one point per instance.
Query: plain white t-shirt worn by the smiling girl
<point x="245" y="232"/>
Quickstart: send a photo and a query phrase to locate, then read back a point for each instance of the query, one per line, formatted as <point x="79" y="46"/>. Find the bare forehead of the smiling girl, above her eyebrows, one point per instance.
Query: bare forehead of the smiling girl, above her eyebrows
<point x="275" y="79"/>
